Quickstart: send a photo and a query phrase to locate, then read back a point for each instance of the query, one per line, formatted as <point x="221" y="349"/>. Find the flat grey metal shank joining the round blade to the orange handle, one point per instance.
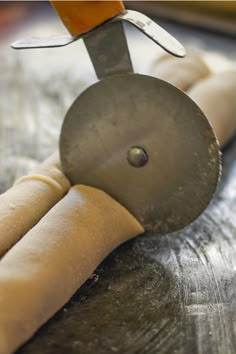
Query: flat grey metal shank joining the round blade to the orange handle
<point x="108" y="49"/>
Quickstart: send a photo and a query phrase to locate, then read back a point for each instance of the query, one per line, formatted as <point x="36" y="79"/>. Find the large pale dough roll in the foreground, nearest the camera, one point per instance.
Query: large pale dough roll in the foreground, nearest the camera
<point x="42" y="271"/>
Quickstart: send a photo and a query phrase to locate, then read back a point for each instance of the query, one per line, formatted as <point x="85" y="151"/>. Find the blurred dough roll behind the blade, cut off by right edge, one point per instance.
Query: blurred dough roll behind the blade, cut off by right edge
<point x="216" y="96"/>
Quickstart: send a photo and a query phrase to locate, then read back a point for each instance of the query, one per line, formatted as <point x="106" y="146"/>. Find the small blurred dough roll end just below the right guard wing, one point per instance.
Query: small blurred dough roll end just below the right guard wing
<point x="181" y="72"/>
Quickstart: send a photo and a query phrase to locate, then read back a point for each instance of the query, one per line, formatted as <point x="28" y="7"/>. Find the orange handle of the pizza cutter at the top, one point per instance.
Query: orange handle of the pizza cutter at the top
<point x="81" y="16"/>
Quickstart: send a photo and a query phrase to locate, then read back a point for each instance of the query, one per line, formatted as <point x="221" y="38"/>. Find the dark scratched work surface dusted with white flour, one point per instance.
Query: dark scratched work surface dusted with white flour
<point x="165" y="294"/>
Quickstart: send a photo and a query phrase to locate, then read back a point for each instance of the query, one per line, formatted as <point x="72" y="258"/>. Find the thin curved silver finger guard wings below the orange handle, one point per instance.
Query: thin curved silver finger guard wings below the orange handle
<point x="142" y="22"/>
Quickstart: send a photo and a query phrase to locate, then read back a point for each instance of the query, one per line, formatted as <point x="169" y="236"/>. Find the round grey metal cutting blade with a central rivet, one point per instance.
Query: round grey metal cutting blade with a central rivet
<point x="127" y="114"/>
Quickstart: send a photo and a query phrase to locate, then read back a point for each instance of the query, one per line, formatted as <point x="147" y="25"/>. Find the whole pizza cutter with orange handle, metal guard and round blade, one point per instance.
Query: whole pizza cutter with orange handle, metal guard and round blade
<point x="138" y="138"/>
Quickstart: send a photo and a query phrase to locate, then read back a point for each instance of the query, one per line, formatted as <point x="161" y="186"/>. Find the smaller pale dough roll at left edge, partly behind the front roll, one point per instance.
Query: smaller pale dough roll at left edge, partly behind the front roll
<point x="30" y="198"/>
